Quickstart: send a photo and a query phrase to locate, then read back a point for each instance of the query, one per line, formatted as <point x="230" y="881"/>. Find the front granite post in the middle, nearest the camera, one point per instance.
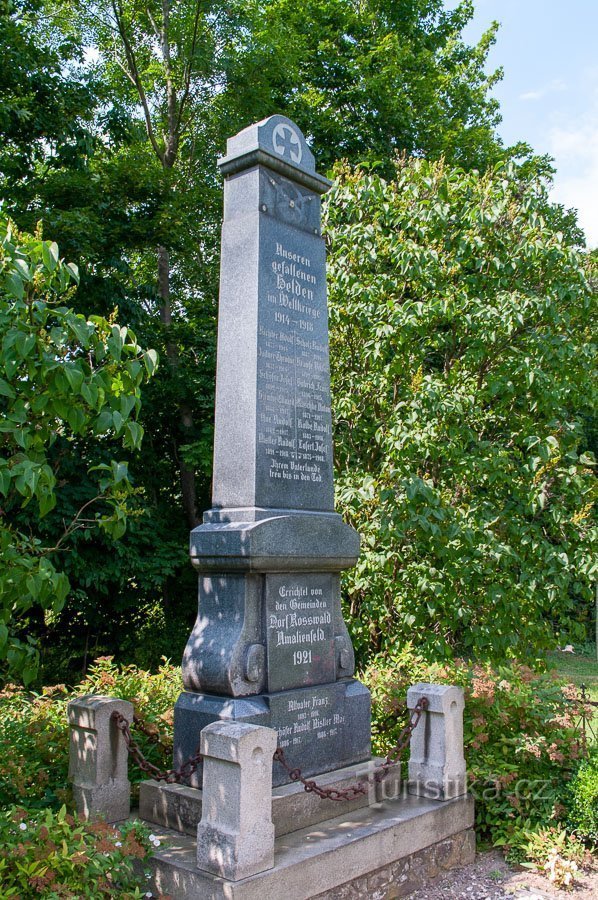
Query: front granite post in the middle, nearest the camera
<point x="235" y="838"/>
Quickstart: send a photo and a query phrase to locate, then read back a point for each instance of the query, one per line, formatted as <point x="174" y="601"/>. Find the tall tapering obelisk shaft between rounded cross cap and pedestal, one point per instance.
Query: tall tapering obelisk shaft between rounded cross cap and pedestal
<point x="273" y="441"/>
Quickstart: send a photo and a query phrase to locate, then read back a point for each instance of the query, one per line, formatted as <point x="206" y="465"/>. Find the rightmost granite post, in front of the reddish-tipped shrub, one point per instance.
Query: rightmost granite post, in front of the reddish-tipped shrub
<point x="437" y="764"/>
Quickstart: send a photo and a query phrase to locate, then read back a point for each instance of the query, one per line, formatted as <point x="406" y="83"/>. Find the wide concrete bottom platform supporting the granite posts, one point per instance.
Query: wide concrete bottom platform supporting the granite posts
<point x="353" y="855"/>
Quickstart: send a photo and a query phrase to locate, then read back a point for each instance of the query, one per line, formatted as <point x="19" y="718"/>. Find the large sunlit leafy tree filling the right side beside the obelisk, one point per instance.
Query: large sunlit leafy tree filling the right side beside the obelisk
<point x="462" y="328"/>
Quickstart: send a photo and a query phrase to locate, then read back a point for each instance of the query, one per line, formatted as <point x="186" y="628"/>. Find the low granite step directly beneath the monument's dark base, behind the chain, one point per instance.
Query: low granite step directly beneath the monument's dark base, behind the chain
<point x="178" y="806"/>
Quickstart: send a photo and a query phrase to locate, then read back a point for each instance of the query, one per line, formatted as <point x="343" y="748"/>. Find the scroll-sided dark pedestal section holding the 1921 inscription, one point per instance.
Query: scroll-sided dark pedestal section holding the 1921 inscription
<point x="237" y="649"/>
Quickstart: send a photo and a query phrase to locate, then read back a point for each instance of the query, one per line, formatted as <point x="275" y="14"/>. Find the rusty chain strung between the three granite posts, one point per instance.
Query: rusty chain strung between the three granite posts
<point x="176" y="776"/>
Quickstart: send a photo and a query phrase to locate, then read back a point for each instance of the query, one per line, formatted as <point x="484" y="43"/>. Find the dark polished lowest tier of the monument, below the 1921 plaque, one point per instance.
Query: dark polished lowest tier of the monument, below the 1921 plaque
<point x="320" y="728"/>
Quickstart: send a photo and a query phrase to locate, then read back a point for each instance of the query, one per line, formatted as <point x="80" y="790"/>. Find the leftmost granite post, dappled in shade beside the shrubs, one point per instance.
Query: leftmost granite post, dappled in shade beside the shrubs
<point x="98" y="758"/>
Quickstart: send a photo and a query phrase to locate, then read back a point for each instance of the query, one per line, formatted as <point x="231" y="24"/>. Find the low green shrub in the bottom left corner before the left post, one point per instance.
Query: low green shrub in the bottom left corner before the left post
<point x="52" y="854"/>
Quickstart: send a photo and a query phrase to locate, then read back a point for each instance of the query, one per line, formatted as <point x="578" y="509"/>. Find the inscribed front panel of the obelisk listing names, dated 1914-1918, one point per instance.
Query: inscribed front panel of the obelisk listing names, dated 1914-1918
<point x="294" y="440"/>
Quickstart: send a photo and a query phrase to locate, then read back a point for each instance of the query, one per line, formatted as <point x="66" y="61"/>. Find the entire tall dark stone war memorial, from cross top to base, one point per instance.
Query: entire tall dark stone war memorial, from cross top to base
<point x="270" y="646"/>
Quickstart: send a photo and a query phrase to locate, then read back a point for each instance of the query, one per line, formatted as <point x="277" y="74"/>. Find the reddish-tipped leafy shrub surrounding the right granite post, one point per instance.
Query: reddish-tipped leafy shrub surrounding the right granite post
<point x="520" y="736"/>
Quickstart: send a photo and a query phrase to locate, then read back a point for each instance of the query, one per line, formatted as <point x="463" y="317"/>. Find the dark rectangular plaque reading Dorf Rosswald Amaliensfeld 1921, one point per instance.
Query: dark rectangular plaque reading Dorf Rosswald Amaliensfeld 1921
<point x="299" y="630"/>
